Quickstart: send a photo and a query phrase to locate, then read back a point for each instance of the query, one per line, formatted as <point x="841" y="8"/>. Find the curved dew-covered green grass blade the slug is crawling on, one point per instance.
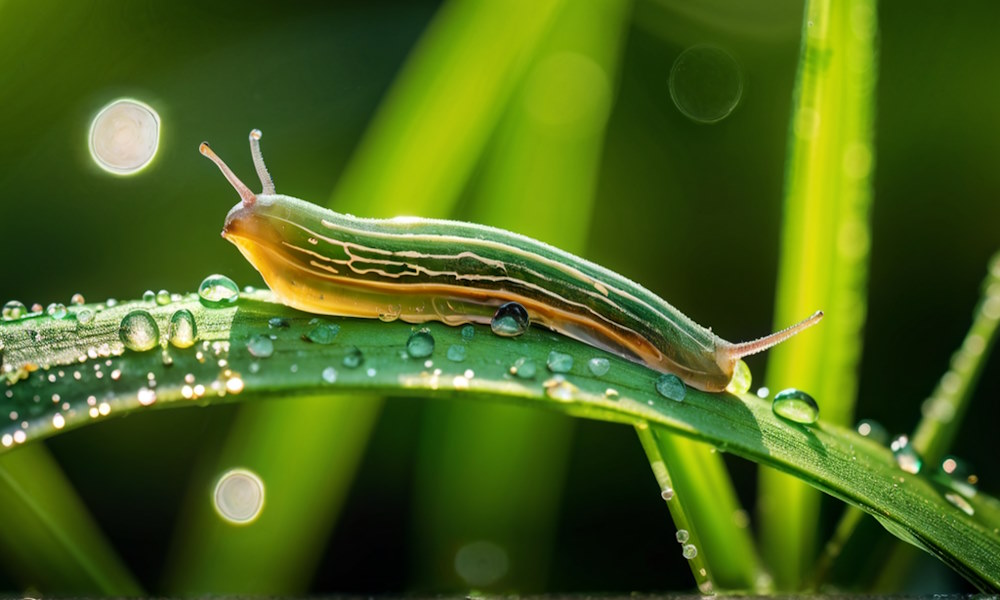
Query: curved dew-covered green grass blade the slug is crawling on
<point x="826" y="456"/>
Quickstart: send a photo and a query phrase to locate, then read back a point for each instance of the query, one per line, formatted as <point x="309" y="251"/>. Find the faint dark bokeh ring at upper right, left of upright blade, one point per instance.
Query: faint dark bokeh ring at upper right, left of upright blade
<point x="706" y="84"/>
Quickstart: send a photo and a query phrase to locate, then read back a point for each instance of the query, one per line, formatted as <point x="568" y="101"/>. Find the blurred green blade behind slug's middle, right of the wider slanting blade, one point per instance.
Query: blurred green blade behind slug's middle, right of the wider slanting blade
<point x="539" y="179"/>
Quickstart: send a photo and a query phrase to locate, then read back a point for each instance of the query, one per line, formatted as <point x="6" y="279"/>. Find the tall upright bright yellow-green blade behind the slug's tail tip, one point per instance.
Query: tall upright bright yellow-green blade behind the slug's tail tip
<point x="824" y="256"/>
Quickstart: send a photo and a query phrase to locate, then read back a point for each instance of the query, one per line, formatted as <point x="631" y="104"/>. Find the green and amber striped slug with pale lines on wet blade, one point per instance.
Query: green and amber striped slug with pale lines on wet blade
<point x="421" y="270"/>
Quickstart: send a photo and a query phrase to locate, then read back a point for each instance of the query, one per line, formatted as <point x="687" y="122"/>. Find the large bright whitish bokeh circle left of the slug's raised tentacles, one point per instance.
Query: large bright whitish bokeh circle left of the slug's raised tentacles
<point x="124" y="136"/>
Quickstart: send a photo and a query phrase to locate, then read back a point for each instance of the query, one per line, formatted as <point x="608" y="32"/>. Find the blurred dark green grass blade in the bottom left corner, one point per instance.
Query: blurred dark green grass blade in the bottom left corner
<point x="49" y="540"/>
